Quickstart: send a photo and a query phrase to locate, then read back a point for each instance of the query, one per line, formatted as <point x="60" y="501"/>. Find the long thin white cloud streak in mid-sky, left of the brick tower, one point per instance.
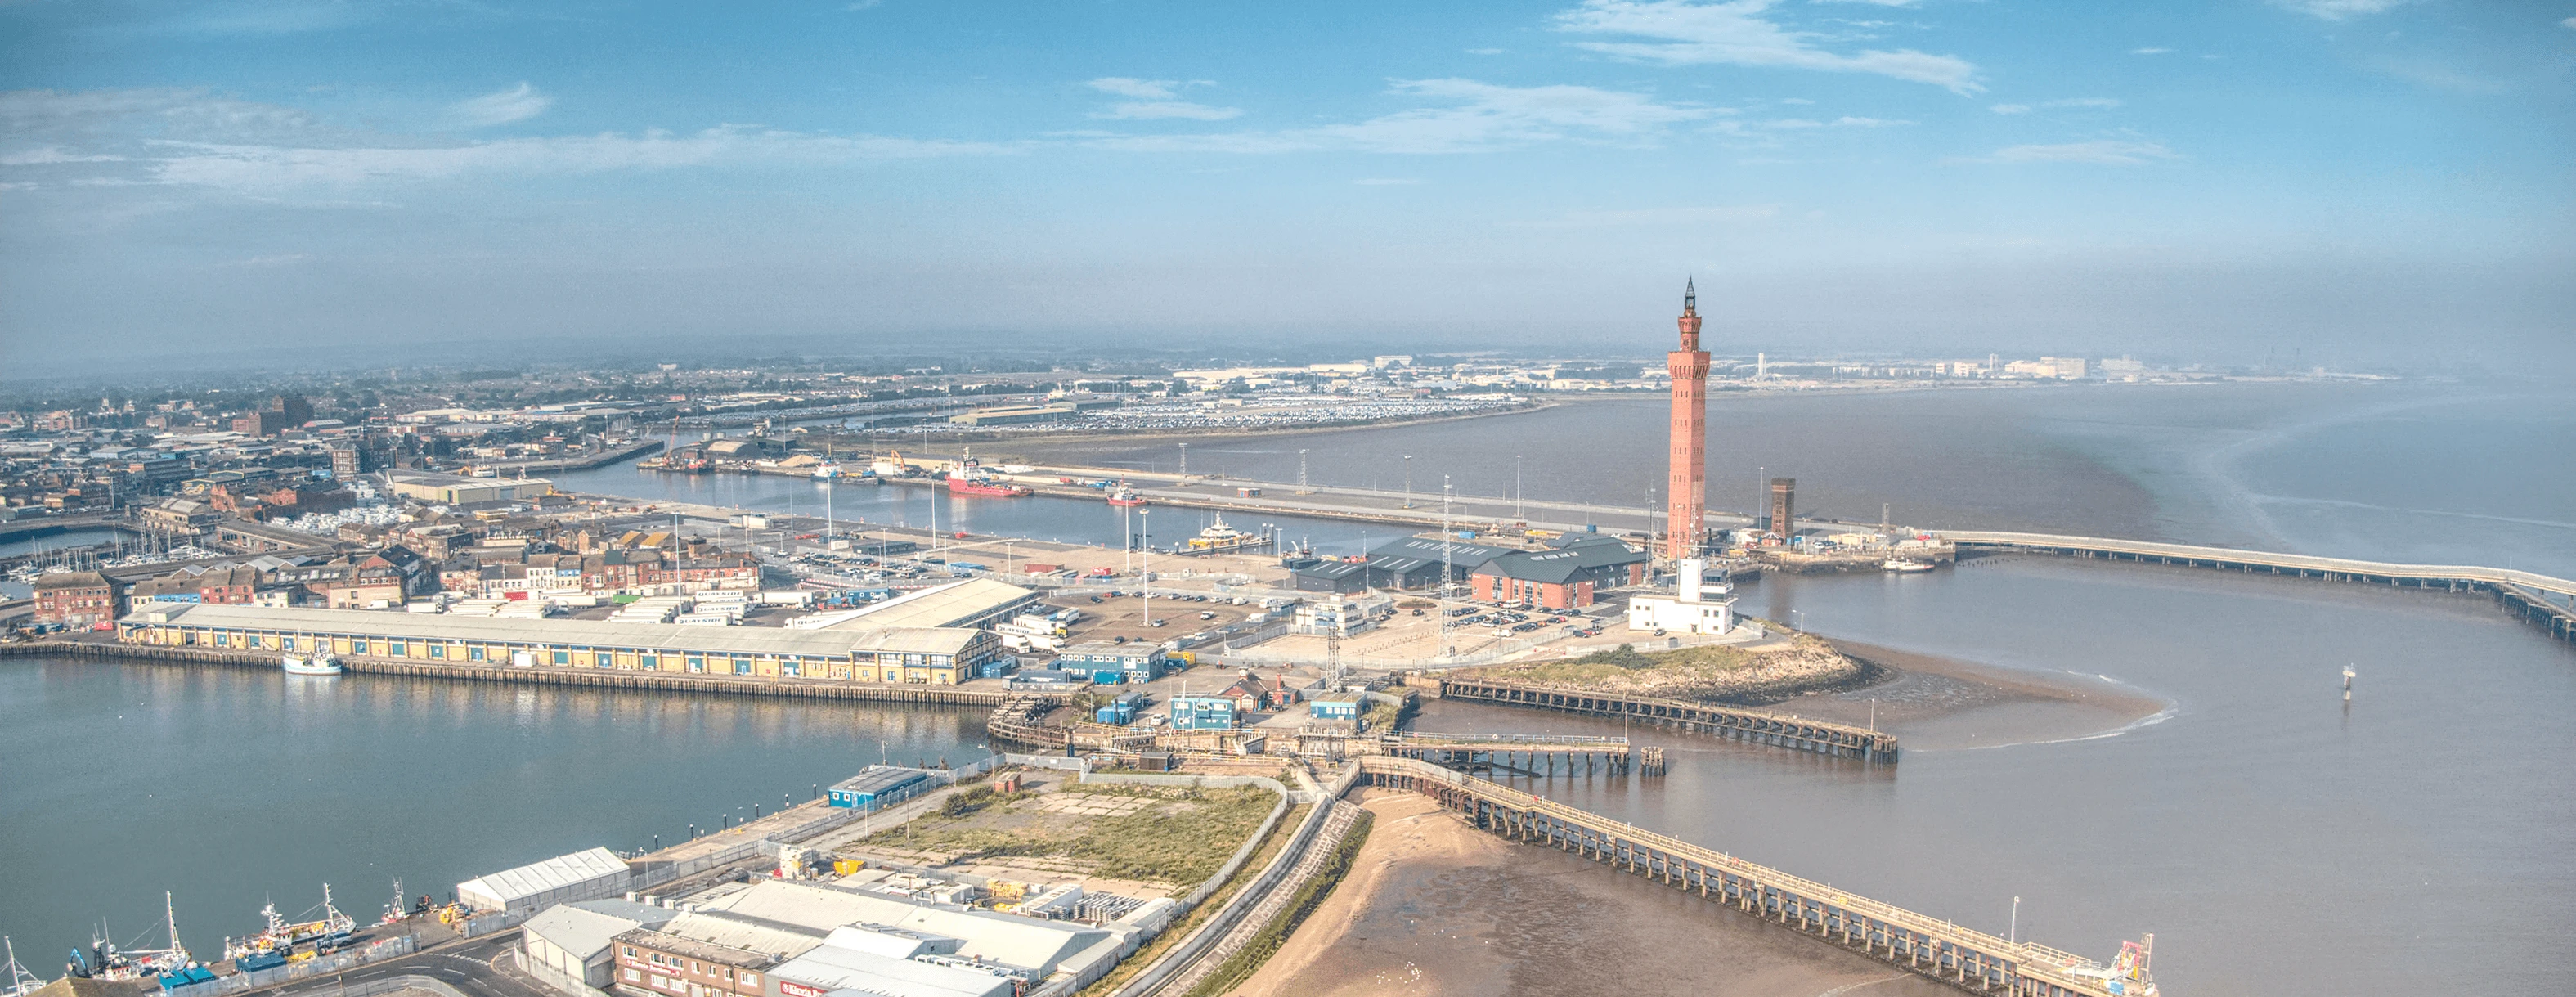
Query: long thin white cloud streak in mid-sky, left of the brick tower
<point x="1467" y="117"/>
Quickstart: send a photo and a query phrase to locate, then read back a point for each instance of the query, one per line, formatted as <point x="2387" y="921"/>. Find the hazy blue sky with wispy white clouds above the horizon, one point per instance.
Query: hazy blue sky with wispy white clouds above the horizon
<point x="2196" y="182"/>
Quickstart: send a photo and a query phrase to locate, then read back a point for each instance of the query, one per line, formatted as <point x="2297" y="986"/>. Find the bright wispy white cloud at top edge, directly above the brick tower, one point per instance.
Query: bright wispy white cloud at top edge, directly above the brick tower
<point x="1738" y="32"/>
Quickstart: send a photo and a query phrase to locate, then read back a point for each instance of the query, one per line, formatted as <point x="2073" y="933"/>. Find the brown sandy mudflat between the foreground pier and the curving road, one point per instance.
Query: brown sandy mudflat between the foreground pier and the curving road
<point x="1441" y="908"/>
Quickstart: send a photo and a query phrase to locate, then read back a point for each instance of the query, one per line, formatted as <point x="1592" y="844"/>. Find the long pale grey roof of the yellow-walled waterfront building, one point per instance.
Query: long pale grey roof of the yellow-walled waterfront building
<point x="498" y="630"/>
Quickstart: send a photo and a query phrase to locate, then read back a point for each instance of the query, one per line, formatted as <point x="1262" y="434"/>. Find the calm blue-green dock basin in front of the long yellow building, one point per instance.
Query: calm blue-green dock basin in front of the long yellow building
<point x="238" y="787"/>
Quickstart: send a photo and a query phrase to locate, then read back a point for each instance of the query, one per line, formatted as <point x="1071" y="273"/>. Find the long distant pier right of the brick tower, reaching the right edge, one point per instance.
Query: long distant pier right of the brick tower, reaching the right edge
<point x="2539" y="599"/>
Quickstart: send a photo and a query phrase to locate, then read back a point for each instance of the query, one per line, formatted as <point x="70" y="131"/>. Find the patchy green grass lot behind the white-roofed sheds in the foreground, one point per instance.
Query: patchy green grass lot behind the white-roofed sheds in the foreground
<point x="1166" y="839"/>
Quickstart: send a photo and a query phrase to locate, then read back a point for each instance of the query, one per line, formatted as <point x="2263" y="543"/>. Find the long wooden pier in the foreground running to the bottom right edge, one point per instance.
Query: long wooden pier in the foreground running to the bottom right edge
<point x="1910" y="942"/>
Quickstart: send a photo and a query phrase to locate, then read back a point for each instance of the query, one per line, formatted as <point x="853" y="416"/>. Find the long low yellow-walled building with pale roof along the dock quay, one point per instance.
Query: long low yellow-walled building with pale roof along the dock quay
<point x="859" y="656"/>
